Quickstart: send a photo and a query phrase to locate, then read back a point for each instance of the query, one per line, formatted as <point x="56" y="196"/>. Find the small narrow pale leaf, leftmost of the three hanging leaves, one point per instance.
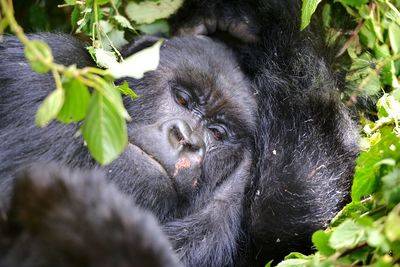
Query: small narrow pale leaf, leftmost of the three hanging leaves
<point x="50" y="107"/>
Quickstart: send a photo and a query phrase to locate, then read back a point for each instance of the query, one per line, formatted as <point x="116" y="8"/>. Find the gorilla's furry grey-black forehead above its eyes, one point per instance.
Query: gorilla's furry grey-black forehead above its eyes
<point x="210" y="71"/>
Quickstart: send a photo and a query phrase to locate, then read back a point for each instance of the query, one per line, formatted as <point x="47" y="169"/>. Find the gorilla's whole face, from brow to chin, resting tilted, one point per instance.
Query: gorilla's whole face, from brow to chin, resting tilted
<point x="191" y="127"/>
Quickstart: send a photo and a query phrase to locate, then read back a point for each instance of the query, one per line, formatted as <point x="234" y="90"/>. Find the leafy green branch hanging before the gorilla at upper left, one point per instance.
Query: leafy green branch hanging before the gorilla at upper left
<point x="101" y="111"/>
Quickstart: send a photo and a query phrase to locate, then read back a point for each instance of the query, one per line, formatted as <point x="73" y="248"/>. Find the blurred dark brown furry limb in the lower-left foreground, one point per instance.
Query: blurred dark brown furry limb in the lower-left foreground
<point x="61" y="218"/>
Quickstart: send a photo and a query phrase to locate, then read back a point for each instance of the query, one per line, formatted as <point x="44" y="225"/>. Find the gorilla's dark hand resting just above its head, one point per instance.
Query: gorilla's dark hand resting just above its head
<point x="221" y="19"/>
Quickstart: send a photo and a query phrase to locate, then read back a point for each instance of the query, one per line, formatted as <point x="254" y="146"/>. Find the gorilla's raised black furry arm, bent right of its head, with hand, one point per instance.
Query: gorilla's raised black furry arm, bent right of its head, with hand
<point x="306" y="144"/>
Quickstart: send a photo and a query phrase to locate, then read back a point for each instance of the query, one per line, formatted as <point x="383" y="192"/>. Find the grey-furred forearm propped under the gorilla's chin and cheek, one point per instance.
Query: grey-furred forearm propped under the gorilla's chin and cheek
<point x="214" y="230"/>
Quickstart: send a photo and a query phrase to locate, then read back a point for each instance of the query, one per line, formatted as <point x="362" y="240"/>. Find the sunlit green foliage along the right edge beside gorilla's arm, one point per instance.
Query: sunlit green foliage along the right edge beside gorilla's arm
<point x="367" y="231"/>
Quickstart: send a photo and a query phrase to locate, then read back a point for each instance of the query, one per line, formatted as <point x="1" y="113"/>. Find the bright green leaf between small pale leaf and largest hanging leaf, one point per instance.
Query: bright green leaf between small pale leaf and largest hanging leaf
<point x="76" y="102"/>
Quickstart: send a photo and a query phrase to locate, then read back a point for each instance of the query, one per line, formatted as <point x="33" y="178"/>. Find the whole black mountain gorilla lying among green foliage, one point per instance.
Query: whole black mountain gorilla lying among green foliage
<point x="240" y="153"/>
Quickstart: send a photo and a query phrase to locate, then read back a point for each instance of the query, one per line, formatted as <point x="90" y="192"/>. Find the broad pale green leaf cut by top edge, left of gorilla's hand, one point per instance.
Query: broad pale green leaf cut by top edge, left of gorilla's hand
<point x="150" y="11"/>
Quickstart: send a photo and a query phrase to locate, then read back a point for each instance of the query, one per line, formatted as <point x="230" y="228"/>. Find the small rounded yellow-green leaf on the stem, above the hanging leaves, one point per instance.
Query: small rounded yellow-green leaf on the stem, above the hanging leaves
<point x="39" y="56"/>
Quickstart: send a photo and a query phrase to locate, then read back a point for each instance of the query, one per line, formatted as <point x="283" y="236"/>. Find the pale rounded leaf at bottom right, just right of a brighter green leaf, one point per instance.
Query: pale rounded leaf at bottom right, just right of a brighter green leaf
<point x="347" y="235"/>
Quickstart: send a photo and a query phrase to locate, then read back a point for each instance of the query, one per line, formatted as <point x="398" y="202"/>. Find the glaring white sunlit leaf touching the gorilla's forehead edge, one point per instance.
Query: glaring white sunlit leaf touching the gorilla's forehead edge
<point x="136" y="65"/>
